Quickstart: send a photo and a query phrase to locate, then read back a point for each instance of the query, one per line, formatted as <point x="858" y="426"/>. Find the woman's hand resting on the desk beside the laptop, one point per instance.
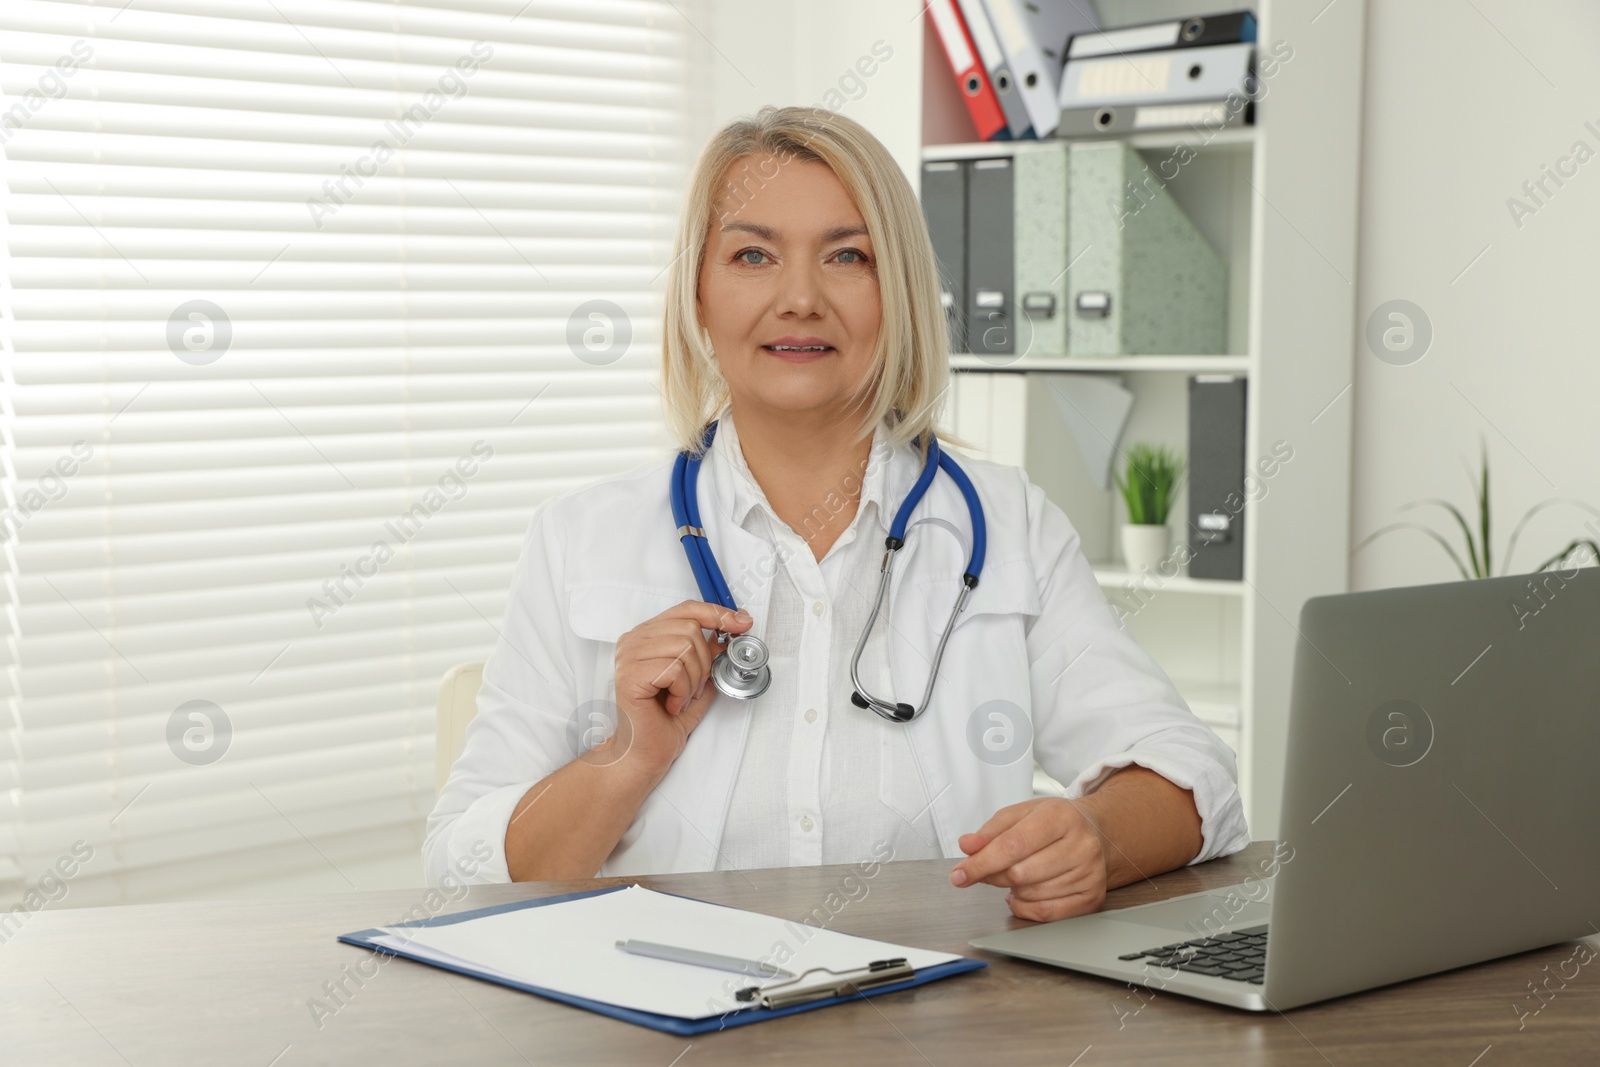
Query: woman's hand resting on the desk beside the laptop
<point x="1046" y="852"/>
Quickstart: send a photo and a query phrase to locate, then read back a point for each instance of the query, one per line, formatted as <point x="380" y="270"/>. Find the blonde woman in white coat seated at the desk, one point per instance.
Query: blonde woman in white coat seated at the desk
<point x="804" y="318"/>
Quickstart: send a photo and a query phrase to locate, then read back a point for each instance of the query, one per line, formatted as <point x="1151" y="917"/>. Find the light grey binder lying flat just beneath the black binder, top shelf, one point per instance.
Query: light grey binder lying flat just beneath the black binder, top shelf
<point x="1174" y="76"/>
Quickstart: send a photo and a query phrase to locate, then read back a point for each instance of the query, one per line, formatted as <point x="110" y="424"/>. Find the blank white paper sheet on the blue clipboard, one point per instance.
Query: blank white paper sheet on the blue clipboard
<point x="570" y="948"/>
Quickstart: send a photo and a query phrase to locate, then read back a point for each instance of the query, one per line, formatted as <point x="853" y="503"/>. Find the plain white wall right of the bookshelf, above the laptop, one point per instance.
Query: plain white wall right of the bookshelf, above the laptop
<point x="1465" y="103"/>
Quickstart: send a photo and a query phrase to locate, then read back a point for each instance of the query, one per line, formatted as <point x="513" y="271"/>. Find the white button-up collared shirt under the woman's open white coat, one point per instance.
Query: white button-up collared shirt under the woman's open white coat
<point x="822" y="780"/>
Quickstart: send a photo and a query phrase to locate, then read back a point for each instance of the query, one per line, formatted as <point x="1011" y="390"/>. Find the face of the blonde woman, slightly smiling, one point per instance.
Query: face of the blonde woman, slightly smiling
<point x="790" y="266"/>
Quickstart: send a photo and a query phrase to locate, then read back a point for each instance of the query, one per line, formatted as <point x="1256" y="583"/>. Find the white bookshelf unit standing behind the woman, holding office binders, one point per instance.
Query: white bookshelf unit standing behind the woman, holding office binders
<point x="1279" y="202"/>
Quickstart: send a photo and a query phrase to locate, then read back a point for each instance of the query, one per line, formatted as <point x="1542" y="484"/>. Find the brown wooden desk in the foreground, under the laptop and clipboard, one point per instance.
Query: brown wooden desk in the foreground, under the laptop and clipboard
<point x="233" y="983"/>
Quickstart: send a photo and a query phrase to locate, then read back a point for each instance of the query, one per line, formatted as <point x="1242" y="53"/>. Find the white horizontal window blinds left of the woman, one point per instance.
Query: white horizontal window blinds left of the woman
<point x="308" y="305"/>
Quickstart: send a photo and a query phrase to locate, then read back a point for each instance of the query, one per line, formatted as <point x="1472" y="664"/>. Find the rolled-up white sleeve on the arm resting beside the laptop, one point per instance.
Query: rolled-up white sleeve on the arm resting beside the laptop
<point x="1102" y="703"/>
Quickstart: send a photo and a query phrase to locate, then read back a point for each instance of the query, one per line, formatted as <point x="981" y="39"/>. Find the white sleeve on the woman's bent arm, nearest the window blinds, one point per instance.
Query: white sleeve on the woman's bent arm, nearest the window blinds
<point x="519" y="733"/>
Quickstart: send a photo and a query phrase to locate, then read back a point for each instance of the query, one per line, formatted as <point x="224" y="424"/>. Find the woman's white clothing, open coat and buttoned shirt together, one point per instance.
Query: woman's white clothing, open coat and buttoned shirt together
<point x="1038" y="666"/>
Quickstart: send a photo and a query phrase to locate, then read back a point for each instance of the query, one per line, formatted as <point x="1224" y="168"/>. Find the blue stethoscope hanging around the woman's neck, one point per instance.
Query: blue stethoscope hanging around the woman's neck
<point x="742" y="669"/>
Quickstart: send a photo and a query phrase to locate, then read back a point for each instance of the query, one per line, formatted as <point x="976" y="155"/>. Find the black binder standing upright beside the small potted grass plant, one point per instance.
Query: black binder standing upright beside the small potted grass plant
<point x="1217" y="476"/>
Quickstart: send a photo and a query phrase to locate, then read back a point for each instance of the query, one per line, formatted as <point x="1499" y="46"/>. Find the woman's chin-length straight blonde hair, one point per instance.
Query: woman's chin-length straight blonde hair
<point x="911" y="364"/>
